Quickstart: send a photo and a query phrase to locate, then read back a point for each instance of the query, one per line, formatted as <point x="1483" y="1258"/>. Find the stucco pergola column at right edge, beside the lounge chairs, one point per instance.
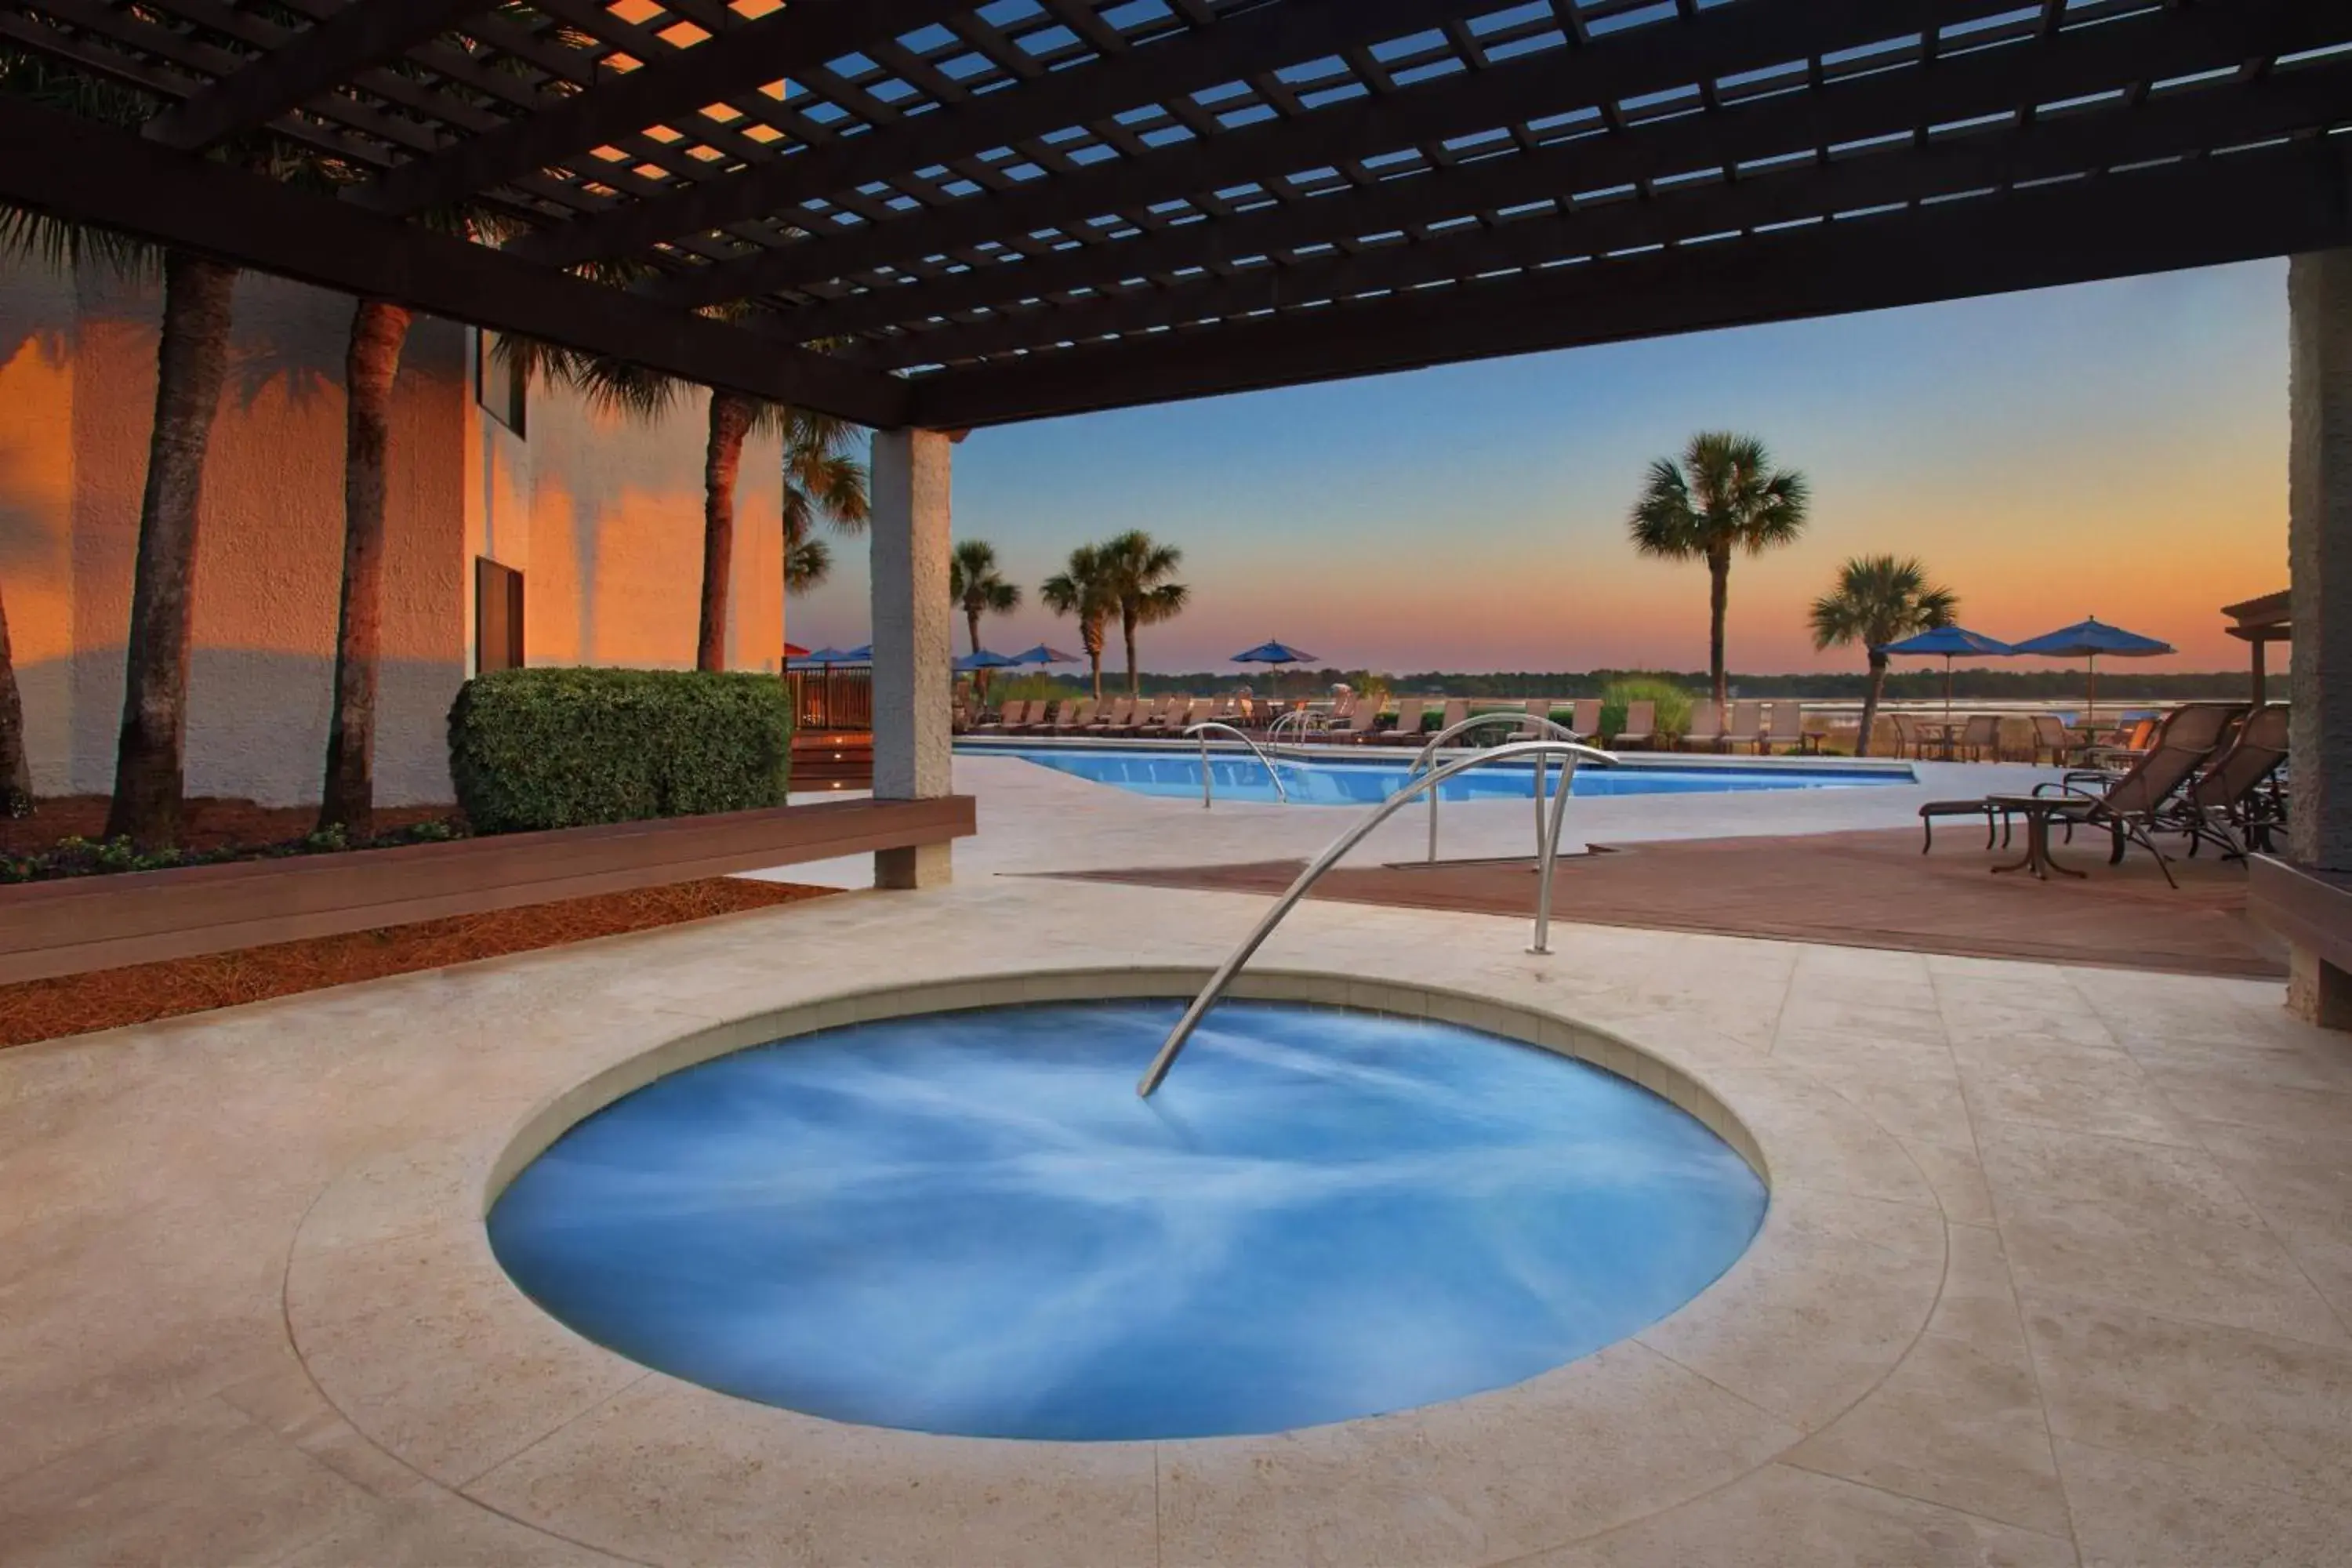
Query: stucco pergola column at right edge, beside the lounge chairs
<point x="2320" y="561"/>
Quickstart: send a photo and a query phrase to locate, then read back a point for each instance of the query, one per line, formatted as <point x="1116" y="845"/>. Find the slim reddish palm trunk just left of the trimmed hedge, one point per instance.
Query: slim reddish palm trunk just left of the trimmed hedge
<point x="370" y="368"/>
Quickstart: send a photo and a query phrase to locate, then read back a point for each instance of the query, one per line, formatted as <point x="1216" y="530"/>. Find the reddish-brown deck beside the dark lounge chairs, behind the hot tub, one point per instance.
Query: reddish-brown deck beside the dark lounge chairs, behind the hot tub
<point x="1850" y="890"/>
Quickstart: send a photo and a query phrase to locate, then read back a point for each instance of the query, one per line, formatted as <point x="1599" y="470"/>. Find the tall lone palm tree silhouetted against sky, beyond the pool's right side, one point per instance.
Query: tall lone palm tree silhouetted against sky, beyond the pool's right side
<point x="1723" y="497"/>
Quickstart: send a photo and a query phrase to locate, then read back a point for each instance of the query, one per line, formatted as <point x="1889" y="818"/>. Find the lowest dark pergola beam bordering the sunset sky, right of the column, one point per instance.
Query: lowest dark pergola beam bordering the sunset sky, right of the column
<point x="2266" y="203"/>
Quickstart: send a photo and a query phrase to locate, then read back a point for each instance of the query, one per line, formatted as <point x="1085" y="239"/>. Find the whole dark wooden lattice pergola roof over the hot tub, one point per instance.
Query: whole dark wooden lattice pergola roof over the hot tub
<point x="949" y="215"/>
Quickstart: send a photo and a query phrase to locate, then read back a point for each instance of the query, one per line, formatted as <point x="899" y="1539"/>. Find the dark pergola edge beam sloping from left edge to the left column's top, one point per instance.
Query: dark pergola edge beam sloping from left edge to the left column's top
<point x="86" y="173"/>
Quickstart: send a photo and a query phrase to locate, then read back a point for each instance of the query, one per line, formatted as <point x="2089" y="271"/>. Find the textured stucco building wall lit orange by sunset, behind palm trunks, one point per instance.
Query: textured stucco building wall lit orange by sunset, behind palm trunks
<point x="601" y="516"/>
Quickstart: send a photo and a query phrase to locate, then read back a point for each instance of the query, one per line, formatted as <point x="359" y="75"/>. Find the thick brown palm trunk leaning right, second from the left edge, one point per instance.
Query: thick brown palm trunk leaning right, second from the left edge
<point x="192" y="361"/>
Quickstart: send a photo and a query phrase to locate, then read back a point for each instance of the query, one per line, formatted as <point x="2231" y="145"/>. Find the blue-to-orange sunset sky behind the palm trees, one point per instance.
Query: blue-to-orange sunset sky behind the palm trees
<point x="2113" y="450"/>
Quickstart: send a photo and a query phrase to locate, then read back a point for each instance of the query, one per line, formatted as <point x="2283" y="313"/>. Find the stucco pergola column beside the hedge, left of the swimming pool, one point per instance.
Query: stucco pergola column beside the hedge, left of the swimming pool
<point x="914" y="638"/>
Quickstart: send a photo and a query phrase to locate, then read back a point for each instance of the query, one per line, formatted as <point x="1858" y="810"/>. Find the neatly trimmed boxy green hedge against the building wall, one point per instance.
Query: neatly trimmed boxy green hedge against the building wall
<point x="568" y="749"/>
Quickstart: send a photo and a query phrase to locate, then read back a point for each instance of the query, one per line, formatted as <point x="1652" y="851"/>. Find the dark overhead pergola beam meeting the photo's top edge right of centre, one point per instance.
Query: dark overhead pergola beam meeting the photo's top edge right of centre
<point x="1643" y="60"/>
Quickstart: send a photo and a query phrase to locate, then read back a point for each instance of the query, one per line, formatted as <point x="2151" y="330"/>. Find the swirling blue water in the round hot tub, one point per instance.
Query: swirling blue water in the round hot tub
<point x="970" y="1224"/>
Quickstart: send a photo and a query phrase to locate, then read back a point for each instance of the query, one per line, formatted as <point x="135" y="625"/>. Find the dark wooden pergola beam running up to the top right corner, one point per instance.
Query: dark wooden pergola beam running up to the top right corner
<point x="1963" y="88"/>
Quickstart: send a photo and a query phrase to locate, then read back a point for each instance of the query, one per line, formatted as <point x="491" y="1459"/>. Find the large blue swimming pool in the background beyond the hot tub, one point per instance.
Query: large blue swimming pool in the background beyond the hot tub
<point x="1363" y="782"/>
